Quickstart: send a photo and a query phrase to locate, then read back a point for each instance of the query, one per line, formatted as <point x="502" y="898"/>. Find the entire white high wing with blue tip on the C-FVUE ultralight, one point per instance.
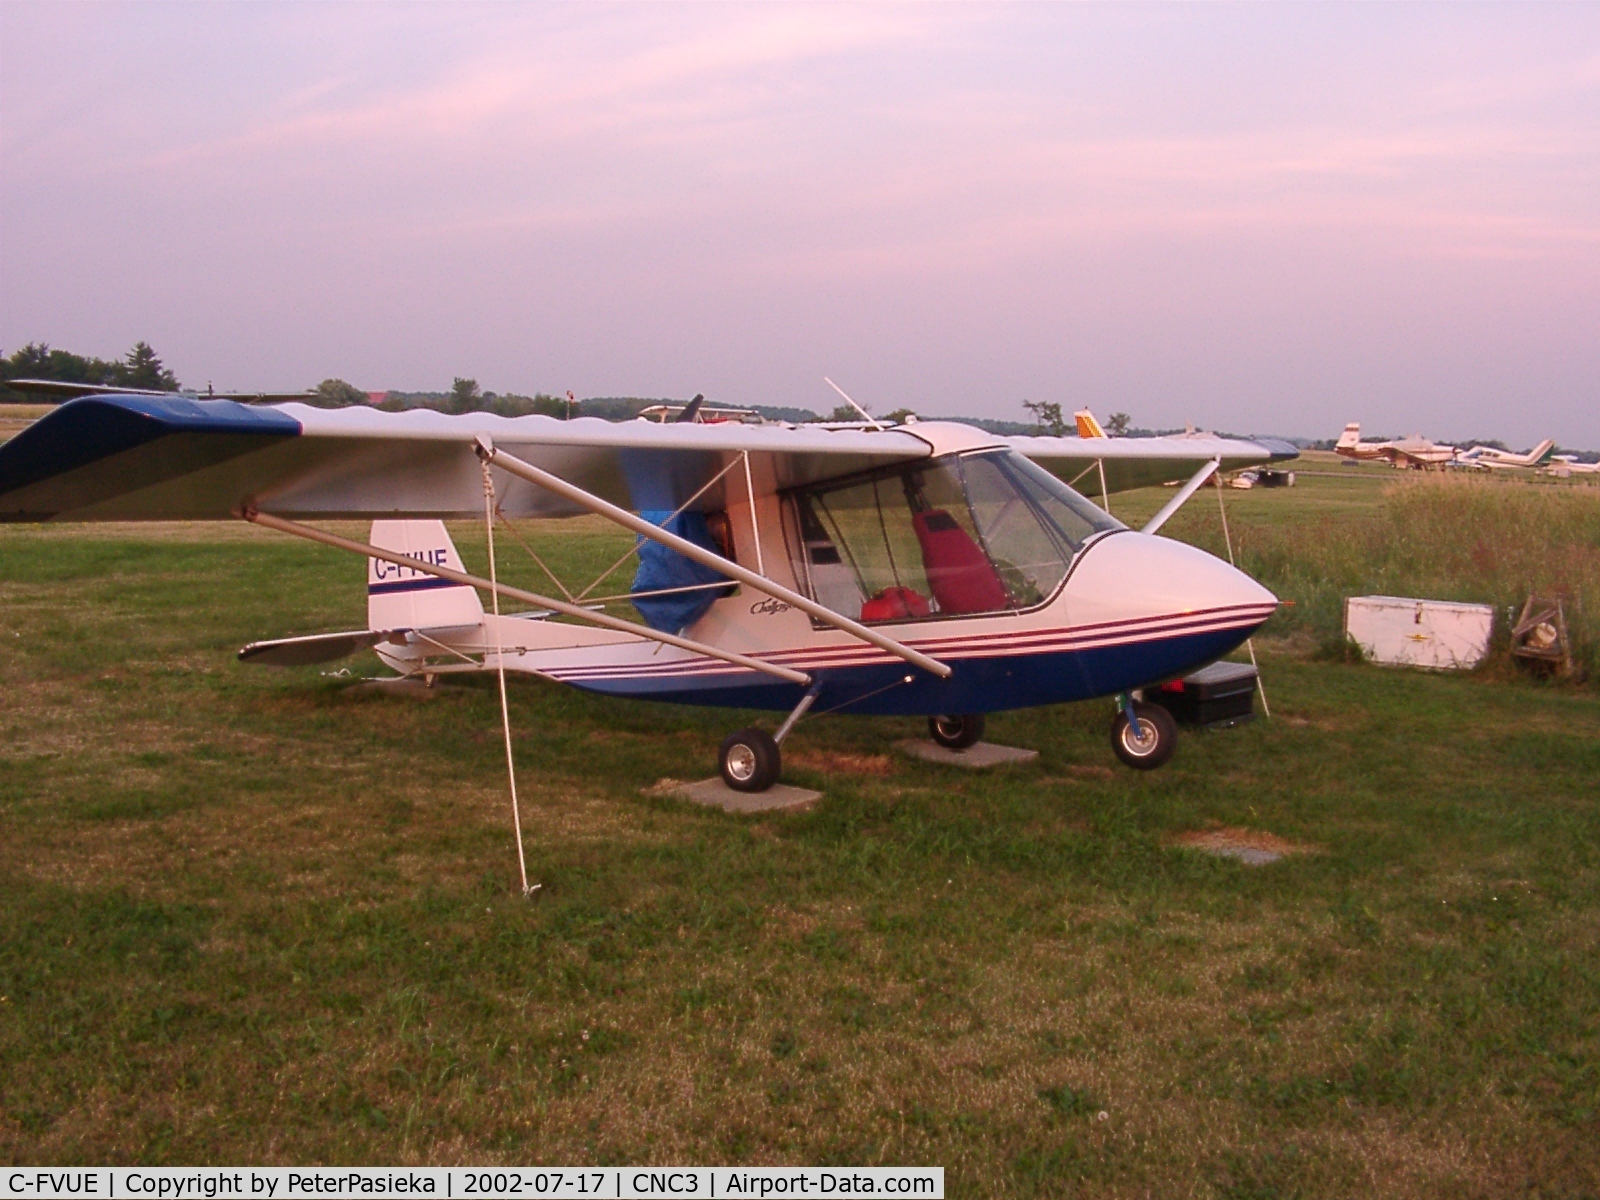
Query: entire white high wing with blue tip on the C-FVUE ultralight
<point x="130" y="457"/>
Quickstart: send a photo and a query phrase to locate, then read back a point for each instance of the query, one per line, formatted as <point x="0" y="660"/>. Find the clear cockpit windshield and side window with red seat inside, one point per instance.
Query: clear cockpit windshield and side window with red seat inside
<point x="961" y="535"/>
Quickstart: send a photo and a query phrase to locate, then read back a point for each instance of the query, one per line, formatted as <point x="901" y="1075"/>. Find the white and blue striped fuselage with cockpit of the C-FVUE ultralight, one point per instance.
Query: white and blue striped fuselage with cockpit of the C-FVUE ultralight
<point x="1025" y="590"/>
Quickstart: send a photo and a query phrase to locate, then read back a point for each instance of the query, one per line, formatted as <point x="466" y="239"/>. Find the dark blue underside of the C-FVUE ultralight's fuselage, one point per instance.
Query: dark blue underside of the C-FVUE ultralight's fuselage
<point x="975" y="686"/>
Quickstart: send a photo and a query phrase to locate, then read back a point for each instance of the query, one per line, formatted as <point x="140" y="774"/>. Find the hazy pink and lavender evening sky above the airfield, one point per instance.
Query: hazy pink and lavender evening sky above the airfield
<point x="1258" y="218"/>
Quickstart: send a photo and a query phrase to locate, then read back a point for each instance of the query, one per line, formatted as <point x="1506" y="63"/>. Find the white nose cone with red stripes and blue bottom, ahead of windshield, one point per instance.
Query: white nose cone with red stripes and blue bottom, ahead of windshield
<point x="1154" y="607"/>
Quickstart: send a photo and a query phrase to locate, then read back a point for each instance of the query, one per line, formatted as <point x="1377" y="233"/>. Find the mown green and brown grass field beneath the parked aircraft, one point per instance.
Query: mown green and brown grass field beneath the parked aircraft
<point x="255" y="916"/>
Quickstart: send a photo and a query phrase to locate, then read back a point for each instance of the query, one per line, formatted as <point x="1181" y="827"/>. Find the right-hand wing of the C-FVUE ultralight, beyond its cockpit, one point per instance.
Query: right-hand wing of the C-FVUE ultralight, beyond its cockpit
<point x="1143" y="462"/>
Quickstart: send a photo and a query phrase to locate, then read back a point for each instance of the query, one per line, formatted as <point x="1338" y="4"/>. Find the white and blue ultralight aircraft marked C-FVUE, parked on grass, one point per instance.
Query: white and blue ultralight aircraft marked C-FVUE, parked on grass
<point x="927" y="569"/>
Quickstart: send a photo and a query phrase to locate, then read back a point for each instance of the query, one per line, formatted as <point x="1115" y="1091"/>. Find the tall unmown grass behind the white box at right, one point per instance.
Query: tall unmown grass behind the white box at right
<point x="1442" y="538"/>
